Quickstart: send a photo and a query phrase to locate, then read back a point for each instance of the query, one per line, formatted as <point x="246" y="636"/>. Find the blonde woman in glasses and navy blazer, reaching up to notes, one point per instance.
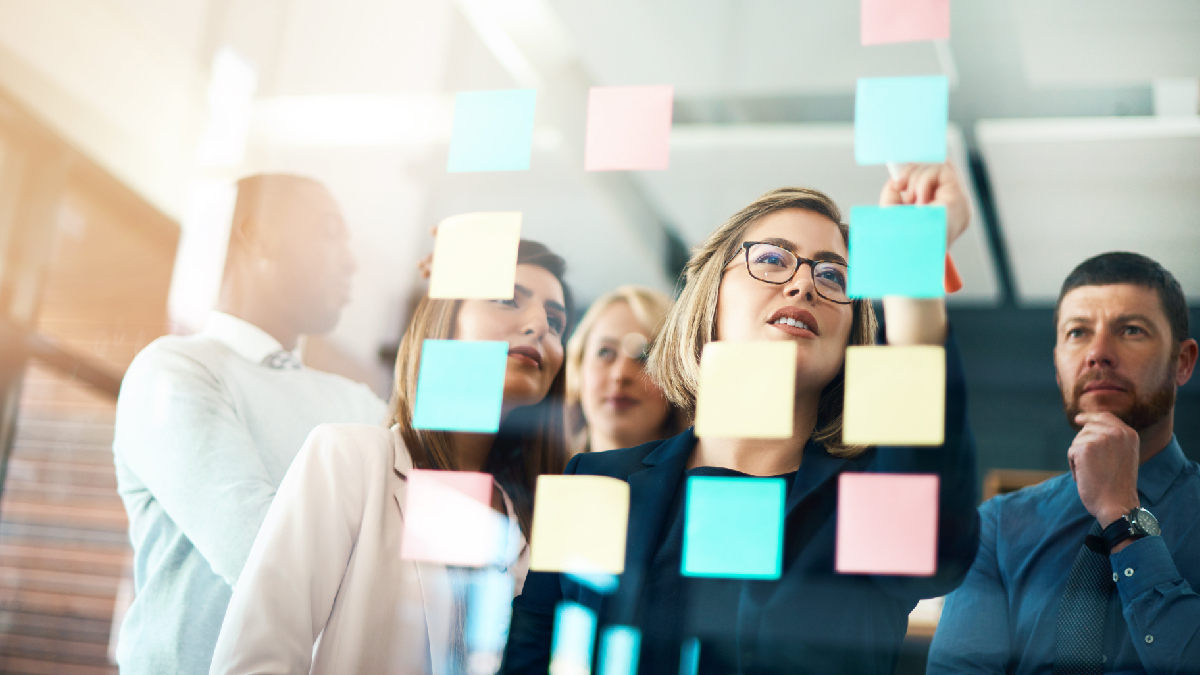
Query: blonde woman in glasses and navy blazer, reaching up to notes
<point x="775" y="272"/>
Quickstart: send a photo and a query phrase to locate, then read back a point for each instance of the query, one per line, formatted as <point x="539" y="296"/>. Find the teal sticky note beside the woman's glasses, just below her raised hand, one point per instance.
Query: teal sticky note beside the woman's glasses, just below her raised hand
<point x="897" y="252"/>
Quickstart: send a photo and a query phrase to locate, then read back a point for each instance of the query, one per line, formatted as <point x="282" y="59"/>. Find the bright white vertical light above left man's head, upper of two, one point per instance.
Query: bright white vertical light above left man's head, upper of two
<point x="232" y="87"/>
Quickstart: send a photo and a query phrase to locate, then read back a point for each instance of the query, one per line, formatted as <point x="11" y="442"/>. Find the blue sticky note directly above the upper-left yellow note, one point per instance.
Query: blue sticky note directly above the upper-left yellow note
<point x="493" y="130"/>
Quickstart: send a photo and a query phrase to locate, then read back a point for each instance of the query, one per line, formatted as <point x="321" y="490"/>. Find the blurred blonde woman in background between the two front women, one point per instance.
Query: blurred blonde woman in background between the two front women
<point x="611" y="401"/>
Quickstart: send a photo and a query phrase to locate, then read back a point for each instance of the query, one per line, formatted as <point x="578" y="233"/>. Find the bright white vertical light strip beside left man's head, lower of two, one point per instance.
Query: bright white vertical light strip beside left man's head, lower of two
<point x="201" y="258"/>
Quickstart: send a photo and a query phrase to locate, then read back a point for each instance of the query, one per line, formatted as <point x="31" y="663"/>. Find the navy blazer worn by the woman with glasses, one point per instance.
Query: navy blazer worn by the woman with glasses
<point x="812" y="619"/>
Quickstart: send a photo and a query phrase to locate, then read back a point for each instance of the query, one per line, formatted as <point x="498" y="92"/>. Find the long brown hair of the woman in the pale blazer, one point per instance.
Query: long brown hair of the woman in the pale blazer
<point x="532" y="440"/>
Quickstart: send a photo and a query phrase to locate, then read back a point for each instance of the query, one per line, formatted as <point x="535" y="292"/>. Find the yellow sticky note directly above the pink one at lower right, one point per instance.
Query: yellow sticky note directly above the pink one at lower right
<point x="895" y="396"/>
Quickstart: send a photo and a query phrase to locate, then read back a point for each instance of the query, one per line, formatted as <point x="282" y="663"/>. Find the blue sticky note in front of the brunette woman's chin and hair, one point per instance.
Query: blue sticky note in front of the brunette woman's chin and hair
<point x="460" y="386"/>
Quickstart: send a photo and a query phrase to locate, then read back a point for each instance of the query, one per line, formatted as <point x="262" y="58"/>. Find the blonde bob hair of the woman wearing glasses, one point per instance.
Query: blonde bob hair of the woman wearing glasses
<point x="692" y="324"/>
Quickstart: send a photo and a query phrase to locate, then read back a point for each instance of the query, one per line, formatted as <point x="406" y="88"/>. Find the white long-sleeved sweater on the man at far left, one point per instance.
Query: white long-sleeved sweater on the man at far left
<point x="205" y="437"/>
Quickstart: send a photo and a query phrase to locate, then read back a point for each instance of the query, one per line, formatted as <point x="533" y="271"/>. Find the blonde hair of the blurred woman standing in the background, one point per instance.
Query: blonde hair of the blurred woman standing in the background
<point x="650" y="308"/>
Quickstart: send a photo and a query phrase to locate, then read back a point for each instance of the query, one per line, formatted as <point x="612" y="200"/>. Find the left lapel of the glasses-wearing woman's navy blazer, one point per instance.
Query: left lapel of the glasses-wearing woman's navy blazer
<point x="651" y="492"/>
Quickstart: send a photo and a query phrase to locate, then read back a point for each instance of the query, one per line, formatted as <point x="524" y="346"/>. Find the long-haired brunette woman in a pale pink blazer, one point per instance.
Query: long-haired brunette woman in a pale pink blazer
<point x="328" y="561"/>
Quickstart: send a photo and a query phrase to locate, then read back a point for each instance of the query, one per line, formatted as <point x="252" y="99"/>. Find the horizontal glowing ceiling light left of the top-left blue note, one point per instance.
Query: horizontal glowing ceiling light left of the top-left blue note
<point x="355" y="120"/>
